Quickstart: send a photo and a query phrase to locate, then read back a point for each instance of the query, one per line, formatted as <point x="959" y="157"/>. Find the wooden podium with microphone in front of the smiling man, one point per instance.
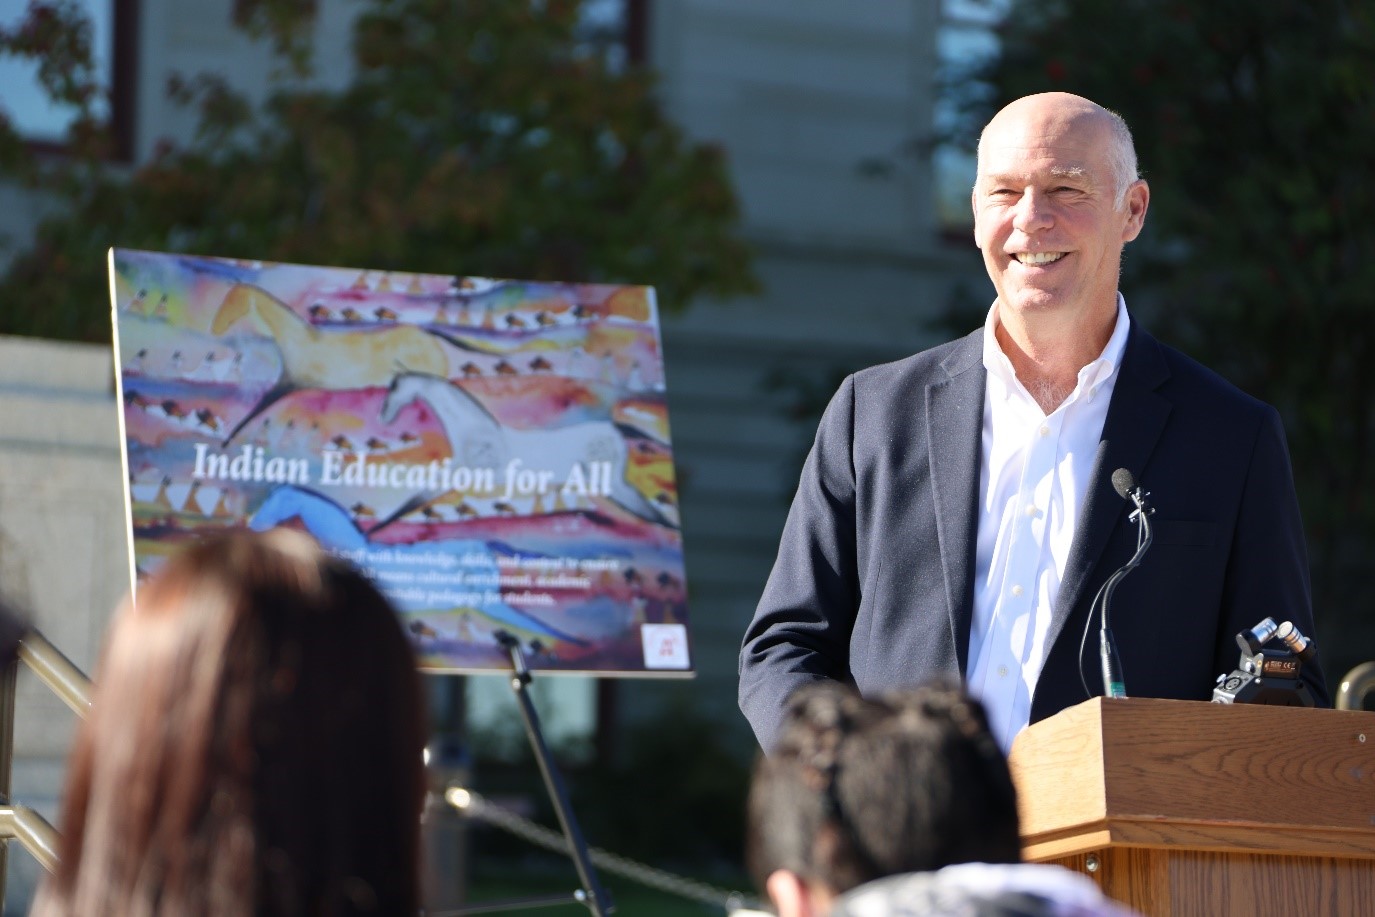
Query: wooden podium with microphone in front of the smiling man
<point x="1185" y="808"/>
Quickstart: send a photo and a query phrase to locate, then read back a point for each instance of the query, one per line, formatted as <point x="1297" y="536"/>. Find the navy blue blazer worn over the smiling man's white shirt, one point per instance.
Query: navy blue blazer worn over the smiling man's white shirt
<point x="874" y="582"/>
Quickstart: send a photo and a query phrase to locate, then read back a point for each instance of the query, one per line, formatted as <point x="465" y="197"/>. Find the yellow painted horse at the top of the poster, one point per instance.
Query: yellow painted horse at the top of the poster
<point x="331" y="360"/>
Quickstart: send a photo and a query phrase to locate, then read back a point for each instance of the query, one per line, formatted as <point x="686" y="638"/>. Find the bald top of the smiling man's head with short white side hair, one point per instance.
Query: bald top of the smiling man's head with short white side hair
<point x="1061" y="115"/>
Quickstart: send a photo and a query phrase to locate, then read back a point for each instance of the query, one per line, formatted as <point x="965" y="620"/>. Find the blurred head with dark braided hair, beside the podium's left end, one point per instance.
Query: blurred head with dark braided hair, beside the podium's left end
<point x="864" y="788"/>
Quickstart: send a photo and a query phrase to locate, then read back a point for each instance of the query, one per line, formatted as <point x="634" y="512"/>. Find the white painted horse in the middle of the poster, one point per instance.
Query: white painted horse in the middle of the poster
<point x="481" y="441"/>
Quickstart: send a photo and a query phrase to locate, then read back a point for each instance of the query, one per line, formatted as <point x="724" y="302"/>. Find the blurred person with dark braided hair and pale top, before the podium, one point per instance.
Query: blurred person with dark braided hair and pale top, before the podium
<point x="897" y="805"/>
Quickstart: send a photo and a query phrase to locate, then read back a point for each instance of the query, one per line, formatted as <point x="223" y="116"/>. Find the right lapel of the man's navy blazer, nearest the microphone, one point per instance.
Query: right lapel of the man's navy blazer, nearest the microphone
<point x="1134" y="426"/>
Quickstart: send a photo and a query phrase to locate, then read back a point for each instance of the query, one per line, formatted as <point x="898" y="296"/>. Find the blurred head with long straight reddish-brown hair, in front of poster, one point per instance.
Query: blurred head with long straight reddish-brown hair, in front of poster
<point x="255" y="744"/>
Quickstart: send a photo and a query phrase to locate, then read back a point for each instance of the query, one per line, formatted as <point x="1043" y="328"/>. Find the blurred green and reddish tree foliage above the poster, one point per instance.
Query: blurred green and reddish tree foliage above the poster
<point x="478" y="137"/>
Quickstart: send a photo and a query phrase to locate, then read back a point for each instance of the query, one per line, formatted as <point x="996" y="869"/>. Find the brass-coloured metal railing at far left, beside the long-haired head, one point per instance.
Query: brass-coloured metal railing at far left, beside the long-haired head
<point x="68" y="683"/>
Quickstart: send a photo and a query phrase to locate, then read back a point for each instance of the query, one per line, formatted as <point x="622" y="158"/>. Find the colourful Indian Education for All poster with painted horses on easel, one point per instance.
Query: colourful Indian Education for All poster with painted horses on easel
<point x="496" y="454"/>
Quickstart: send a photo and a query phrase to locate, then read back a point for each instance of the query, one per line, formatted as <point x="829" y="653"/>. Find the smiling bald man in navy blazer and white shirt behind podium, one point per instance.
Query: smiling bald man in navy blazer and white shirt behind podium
<point x="958" y="515"/>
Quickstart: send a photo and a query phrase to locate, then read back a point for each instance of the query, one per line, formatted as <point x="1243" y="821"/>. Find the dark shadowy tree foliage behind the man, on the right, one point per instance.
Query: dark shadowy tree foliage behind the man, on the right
<point x="1256" y="127"/>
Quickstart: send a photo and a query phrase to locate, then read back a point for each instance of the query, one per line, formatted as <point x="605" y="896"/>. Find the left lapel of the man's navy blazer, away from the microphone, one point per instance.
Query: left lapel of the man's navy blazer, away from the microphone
<point x="955" y="435"/>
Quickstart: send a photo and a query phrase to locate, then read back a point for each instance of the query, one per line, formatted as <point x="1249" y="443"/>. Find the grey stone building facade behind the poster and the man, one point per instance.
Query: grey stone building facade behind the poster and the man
<point x="826" y="112"/>
